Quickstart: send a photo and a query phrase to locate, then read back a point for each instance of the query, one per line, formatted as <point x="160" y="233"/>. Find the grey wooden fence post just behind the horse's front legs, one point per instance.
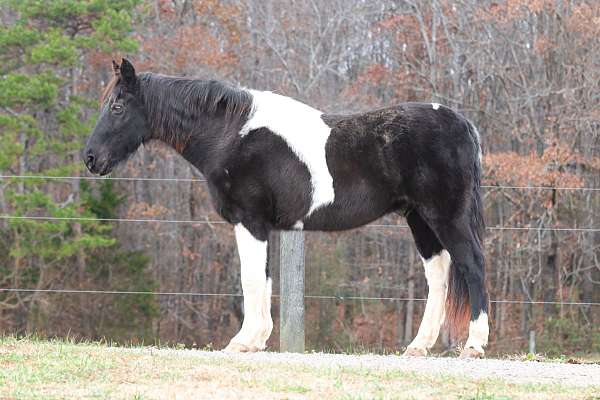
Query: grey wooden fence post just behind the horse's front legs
<point x="291" y="309"/>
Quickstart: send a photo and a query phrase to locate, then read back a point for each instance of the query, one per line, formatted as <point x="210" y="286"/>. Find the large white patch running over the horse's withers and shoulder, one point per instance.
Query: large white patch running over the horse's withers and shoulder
<point x="305" y="133"/>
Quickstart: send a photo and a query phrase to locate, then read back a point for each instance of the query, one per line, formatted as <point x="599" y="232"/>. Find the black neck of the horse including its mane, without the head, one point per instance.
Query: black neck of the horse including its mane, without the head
<point x="203" y="130"/>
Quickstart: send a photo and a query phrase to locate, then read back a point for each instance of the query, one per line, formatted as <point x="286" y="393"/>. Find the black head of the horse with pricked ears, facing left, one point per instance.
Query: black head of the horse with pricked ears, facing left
<point x="122" y="125"/>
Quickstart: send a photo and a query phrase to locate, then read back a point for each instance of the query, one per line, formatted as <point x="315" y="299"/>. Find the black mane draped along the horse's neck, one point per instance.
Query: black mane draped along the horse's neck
<point x="172" y="103"/>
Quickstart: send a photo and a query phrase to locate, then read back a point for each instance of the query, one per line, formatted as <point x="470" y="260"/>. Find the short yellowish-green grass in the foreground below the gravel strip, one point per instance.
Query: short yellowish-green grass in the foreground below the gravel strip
<point x="40" y="369"/>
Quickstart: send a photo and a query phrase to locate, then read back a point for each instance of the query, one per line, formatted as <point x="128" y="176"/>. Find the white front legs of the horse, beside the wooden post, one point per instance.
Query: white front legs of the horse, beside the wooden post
<point x="256" y="287"/>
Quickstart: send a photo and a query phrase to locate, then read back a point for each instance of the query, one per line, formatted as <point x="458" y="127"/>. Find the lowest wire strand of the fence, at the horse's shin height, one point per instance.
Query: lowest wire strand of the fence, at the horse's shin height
<point x="308" y="296"/>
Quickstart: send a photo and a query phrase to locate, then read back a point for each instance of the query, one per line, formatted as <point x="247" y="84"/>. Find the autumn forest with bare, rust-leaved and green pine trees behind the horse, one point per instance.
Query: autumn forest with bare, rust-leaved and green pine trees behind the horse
<point x="526" y="72"/>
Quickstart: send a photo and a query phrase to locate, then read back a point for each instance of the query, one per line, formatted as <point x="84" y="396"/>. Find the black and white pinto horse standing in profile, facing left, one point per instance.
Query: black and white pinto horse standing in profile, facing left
<point x="274" y="163"/>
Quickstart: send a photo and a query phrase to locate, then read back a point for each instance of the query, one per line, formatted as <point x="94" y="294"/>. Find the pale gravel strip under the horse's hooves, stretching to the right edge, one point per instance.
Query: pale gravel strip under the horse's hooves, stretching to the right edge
<point x="581" y="375"/>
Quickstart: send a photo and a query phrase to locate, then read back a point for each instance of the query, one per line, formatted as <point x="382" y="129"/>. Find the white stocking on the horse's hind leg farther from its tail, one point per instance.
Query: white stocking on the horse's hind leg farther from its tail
<point x="437" y="272"/>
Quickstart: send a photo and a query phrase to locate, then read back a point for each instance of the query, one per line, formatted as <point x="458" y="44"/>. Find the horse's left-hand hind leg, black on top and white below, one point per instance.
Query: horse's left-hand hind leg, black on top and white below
<point x="436" y="262"/>
